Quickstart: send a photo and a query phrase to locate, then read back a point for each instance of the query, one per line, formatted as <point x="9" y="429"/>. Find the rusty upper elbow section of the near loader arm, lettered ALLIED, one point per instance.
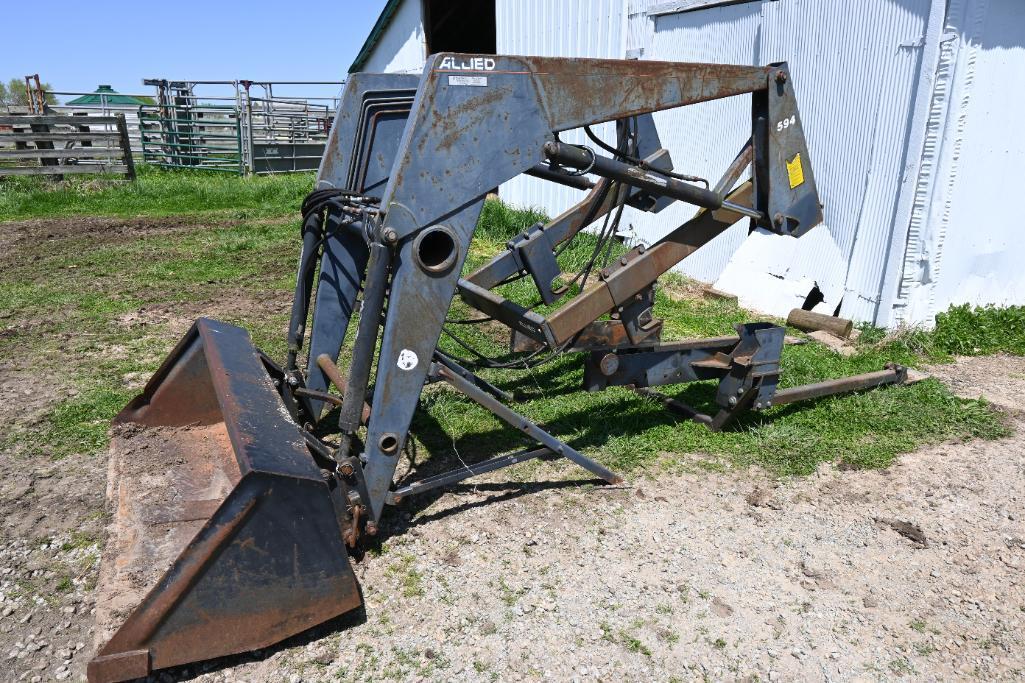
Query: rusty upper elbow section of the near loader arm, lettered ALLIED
<point x="478" y="123"/>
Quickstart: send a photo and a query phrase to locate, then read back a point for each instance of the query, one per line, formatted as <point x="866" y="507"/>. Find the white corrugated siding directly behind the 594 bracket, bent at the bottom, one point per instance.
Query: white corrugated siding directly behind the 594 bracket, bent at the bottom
<point x="855" y="72"/>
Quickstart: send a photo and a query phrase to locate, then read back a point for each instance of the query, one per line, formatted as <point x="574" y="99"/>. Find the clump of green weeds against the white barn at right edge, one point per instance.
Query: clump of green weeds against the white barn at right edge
<point x="964" y="331"/>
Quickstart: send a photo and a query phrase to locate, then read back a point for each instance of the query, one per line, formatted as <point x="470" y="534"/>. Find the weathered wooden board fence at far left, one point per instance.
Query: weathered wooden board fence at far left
<point x="63" y="145"/>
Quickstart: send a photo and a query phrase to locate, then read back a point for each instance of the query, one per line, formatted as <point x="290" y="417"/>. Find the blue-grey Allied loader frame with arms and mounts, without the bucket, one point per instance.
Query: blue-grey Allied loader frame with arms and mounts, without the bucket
<point x="470" y="125"/>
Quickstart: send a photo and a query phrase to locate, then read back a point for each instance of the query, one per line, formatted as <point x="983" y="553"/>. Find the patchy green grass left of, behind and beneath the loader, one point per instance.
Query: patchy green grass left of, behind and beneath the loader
<point x="67" y="302"/>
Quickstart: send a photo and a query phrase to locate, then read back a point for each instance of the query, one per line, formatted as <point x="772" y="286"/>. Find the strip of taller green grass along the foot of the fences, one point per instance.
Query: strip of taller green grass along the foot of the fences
<point x="157" y="192"/>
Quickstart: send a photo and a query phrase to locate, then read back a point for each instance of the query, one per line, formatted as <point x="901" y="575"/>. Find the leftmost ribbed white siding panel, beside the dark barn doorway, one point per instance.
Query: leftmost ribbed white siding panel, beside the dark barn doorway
<point x="559" y="28"/>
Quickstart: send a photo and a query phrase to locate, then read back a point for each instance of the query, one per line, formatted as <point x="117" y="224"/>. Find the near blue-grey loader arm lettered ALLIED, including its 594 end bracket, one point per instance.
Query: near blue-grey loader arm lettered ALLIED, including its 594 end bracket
<point x="477" y="123"/>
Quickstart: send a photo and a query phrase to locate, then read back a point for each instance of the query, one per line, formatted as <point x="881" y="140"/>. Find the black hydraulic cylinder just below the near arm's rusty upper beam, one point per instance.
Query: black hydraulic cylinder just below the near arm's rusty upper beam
<point x="585" y="159"/>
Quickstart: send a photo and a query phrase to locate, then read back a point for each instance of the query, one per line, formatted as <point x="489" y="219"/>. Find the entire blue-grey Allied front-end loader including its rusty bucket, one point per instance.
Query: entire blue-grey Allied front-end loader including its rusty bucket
<point x="241" y="485"/>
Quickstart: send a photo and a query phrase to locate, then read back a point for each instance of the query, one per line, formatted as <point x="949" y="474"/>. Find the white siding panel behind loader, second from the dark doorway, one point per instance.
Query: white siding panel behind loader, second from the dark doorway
<point x="704" y="139"/>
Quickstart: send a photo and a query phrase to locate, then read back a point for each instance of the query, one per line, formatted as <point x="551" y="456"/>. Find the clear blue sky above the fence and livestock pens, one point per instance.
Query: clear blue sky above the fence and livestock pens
<point x="118" y="43"/>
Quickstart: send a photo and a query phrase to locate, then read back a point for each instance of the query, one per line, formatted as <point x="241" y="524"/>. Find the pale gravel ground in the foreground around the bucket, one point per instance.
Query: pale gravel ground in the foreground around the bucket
<point x="913" y="573"/>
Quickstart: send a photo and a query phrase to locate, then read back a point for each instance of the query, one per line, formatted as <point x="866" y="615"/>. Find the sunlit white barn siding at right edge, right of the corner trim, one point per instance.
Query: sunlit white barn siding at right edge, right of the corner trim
<point x="969" y="251"/>
